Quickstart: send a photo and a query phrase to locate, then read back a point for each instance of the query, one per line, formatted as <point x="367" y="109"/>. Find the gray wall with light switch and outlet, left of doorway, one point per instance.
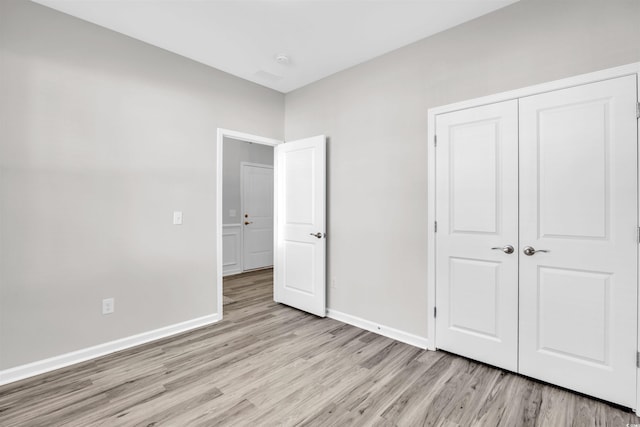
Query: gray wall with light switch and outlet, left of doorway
<point x="101" y="138"/>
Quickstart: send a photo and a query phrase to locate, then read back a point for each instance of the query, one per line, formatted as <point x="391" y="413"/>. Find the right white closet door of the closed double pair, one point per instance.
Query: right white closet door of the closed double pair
<point x="578" y="191"/>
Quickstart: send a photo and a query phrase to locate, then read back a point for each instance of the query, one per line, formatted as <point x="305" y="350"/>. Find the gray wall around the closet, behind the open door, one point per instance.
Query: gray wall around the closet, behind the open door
<point x="375" y="115"/>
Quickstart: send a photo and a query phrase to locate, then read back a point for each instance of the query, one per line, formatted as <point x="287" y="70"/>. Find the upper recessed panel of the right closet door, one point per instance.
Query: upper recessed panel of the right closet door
<point x="573" y="139"/>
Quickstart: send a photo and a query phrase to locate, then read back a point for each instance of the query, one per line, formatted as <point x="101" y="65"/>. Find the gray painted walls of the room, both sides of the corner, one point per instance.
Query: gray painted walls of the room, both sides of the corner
<point x="102" y="137"/>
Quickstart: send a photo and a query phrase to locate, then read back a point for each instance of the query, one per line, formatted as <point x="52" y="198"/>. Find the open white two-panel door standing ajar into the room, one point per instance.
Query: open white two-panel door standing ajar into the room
<point x="300" y="239"/>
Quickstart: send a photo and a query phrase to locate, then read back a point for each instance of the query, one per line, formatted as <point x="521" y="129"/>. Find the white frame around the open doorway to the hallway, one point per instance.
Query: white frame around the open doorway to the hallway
<point x="241" y="136"/>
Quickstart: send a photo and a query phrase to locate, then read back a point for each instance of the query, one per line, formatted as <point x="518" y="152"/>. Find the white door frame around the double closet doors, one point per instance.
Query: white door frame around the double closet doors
<point x="610" y="73"/>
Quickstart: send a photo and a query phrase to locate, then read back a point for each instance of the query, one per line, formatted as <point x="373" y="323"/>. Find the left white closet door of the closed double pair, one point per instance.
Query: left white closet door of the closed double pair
<point x="477" y="214"/>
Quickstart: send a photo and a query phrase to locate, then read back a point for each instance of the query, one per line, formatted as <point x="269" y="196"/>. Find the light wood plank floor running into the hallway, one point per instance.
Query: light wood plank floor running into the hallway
<point x="268" y="364"/>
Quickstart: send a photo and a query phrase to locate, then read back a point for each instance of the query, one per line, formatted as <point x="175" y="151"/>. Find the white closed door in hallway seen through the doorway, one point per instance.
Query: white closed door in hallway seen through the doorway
<point x="257" y="215"/>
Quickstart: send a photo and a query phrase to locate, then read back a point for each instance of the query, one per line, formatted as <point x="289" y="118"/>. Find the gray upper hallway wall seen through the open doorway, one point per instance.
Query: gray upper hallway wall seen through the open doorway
<point x="235" y="152"/>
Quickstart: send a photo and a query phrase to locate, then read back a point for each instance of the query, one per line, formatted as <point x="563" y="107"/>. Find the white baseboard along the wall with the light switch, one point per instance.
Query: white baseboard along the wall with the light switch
<point x="63" y="360"/>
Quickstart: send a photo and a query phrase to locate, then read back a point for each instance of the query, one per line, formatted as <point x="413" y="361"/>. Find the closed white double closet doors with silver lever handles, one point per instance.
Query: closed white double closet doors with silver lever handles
<point x="536" y="243"/>
